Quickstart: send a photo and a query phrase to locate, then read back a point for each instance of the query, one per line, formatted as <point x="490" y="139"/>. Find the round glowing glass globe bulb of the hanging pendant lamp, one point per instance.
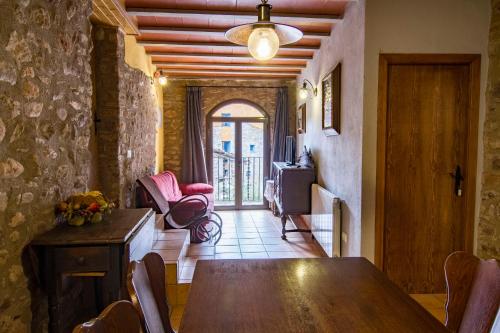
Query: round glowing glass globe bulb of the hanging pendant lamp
<point x="263" y="43"/>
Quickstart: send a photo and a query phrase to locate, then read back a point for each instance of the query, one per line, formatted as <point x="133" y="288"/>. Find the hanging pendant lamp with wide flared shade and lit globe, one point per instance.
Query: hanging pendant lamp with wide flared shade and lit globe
<point x="263" y="37"/>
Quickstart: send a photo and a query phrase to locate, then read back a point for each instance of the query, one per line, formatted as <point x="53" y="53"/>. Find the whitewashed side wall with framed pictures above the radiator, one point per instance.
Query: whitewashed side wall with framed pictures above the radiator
<point x="338" y="158"/>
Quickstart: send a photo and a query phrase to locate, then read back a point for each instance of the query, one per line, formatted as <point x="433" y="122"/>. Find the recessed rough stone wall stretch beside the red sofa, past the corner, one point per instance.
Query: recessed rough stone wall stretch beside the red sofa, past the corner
<point x="127" y="112"/>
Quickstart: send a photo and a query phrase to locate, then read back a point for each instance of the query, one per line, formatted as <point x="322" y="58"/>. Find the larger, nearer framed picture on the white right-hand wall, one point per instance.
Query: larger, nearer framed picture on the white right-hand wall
<point x="331" y="102"/>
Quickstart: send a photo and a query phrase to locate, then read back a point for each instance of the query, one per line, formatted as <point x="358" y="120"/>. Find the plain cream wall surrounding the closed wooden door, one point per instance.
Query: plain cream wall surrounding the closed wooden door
<point x="409" y="26"/>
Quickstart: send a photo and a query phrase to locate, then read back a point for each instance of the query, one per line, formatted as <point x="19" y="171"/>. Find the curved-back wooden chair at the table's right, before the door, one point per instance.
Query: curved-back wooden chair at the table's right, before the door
<point x="473" y="287"/>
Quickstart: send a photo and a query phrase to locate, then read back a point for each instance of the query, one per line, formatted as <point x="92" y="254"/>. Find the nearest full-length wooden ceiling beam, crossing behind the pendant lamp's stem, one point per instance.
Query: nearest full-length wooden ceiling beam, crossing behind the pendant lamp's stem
<point x="189" y="13"/>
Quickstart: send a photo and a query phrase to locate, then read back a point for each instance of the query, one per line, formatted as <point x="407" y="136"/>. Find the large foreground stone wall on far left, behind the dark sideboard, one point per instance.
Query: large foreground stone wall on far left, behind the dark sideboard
<point x="45" y="127"/>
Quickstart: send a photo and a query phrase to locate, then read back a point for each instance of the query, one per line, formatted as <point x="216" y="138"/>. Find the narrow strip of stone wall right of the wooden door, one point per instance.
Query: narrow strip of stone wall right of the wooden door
<point x="488" y="243"/>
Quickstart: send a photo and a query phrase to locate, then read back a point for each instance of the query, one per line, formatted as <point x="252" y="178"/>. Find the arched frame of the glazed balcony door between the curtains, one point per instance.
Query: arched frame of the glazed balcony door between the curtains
<point x="238" y="124"/>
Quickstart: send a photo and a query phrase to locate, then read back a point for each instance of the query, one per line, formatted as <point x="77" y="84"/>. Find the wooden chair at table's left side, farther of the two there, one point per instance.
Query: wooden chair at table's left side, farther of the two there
<point x="146" y="287"/>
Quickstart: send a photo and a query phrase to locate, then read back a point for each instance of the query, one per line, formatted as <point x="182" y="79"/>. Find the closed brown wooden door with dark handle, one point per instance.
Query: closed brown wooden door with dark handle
<point x="425" y="210"/>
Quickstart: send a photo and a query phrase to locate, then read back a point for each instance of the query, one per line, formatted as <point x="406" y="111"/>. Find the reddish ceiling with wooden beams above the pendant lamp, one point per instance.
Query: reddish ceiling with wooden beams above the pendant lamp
<point x="186" y="37"/>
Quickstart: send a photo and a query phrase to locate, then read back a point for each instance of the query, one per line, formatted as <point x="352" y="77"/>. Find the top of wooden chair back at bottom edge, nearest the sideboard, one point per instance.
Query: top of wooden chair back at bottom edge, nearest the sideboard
<point x="118" y="317"/>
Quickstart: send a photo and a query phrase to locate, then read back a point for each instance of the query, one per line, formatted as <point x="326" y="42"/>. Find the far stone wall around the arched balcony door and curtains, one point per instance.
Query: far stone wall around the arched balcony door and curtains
<point x="215" y="92"/>
